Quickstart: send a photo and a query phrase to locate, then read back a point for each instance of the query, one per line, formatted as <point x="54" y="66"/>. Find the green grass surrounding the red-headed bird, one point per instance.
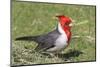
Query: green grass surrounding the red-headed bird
<point x="38" y="18"/>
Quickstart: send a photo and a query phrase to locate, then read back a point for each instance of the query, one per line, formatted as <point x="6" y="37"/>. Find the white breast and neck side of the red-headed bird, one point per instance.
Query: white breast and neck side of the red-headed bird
<point x="61" y="42"/>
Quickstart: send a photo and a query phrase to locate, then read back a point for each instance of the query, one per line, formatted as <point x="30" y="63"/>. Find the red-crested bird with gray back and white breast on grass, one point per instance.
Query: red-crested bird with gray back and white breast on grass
<point x="56" y="40"/>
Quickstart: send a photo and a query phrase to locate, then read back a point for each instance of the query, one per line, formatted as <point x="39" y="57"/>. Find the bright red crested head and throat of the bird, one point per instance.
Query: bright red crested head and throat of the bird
<point x="65" y="24"/>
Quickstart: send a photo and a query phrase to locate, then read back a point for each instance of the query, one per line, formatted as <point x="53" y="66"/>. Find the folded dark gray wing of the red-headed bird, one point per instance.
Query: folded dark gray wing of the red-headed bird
<point x="47" y="41"/>
